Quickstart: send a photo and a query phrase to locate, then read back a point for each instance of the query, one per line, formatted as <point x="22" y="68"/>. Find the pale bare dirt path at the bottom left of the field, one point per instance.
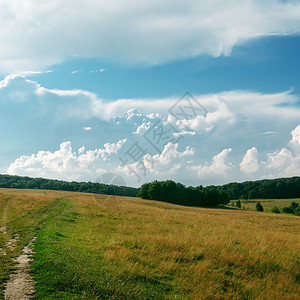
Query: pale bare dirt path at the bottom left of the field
<point x="21" y="285"/>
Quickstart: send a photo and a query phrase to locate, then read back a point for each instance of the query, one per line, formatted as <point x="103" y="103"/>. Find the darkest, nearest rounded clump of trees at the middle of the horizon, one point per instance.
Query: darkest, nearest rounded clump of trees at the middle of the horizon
<point x="177" y="193"/>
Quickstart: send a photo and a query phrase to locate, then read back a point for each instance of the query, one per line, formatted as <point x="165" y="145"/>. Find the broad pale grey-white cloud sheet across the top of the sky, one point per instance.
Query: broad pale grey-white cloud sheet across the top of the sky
<point x="149" y="32"/>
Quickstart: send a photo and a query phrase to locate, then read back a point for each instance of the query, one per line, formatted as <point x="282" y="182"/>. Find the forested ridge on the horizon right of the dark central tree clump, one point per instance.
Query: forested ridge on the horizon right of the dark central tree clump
<point x="281" y="188"/>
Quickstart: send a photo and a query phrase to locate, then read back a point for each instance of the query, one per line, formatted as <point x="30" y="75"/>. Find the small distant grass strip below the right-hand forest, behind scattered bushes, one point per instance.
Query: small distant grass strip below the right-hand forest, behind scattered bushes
<point x="268" y="204"/>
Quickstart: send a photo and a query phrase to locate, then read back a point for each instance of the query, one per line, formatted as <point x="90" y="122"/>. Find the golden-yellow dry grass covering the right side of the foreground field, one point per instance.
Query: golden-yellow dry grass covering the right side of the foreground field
<point x="209" y="252"/>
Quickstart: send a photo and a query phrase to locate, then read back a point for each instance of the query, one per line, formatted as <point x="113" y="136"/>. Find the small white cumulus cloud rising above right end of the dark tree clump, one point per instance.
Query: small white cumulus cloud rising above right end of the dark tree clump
<point x="218" y="166"/>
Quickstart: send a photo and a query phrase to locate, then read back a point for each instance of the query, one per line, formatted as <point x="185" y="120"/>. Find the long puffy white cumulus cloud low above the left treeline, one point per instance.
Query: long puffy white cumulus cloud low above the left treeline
<point x="65" y="163"/>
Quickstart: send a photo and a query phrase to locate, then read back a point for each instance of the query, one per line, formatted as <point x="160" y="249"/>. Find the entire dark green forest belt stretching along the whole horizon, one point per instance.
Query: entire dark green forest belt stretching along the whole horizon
<point x="169" y="191"/>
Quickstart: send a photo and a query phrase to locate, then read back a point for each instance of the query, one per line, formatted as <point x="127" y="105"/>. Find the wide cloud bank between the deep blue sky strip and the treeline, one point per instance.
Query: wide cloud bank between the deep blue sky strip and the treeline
<point x="243" y="134"/>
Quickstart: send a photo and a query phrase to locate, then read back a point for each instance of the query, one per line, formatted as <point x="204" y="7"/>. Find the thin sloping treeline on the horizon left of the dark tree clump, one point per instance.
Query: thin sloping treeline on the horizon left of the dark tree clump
<point x="8" y="181"/>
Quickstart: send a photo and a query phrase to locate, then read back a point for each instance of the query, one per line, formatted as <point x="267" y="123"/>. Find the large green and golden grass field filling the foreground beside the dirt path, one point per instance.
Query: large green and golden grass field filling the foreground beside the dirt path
<point x="91" y="247"/>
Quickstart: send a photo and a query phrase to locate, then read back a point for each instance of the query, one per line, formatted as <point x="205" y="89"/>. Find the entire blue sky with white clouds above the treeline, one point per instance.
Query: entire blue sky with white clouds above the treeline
<point x="200" y="92"/>
